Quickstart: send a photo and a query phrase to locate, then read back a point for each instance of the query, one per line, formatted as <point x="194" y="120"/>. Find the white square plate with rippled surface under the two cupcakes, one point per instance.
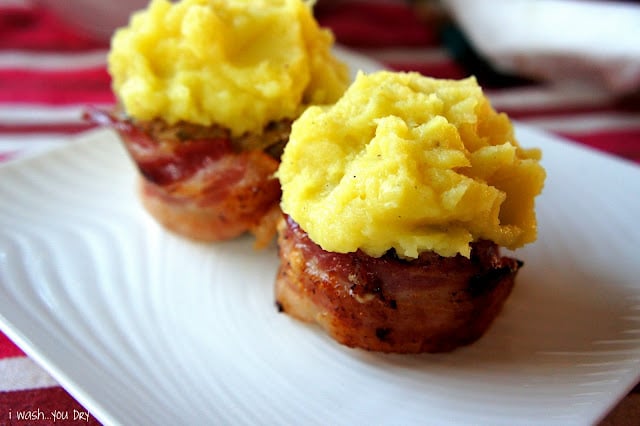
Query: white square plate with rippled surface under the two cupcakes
<point x="143" y="327"/>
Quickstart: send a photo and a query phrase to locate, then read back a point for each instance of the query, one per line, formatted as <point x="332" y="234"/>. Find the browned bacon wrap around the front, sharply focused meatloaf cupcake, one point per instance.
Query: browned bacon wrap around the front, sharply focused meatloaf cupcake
<point x="431" y="304"/>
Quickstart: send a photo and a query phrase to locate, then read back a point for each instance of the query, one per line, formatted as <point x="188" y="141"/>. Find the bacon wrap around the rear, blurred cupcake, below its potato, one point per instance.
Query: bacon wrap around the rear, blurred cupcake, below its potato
<point x="200" y="182"/>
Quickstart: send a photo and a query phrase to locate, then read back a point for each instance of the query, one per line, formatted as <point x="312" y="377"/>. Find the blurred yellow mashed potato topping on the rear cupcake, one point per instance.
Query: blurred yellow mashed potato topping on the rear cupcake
<point x="236" y="63"/>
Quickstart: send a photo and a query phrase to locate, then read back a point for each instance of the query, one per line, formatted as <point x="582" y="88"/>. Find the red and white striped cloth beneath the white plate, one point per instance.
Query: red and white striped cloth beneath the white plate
<point x="49" y="73"/>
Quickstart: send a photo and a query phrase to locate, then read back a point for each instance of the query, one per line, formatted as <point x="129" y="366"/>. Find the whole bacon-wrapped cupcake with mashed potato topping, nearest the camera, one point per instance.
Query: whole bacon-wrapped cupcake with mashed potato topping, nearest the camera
<point x="397" y="200"/>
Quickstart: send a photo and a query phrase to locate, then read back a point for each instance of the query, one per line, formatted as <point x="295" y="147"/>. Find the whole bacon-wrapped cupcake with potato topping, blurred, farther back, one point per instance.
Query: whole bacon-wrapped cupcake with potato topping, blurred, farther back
<point x="207" y="91"/>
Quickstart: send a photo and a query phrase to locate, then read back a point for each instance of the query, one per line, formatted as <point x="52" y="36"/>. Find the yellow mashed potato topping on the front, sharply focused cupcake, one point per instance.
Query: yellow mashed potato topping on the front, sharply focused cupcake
<point x="411" y="163"/>
